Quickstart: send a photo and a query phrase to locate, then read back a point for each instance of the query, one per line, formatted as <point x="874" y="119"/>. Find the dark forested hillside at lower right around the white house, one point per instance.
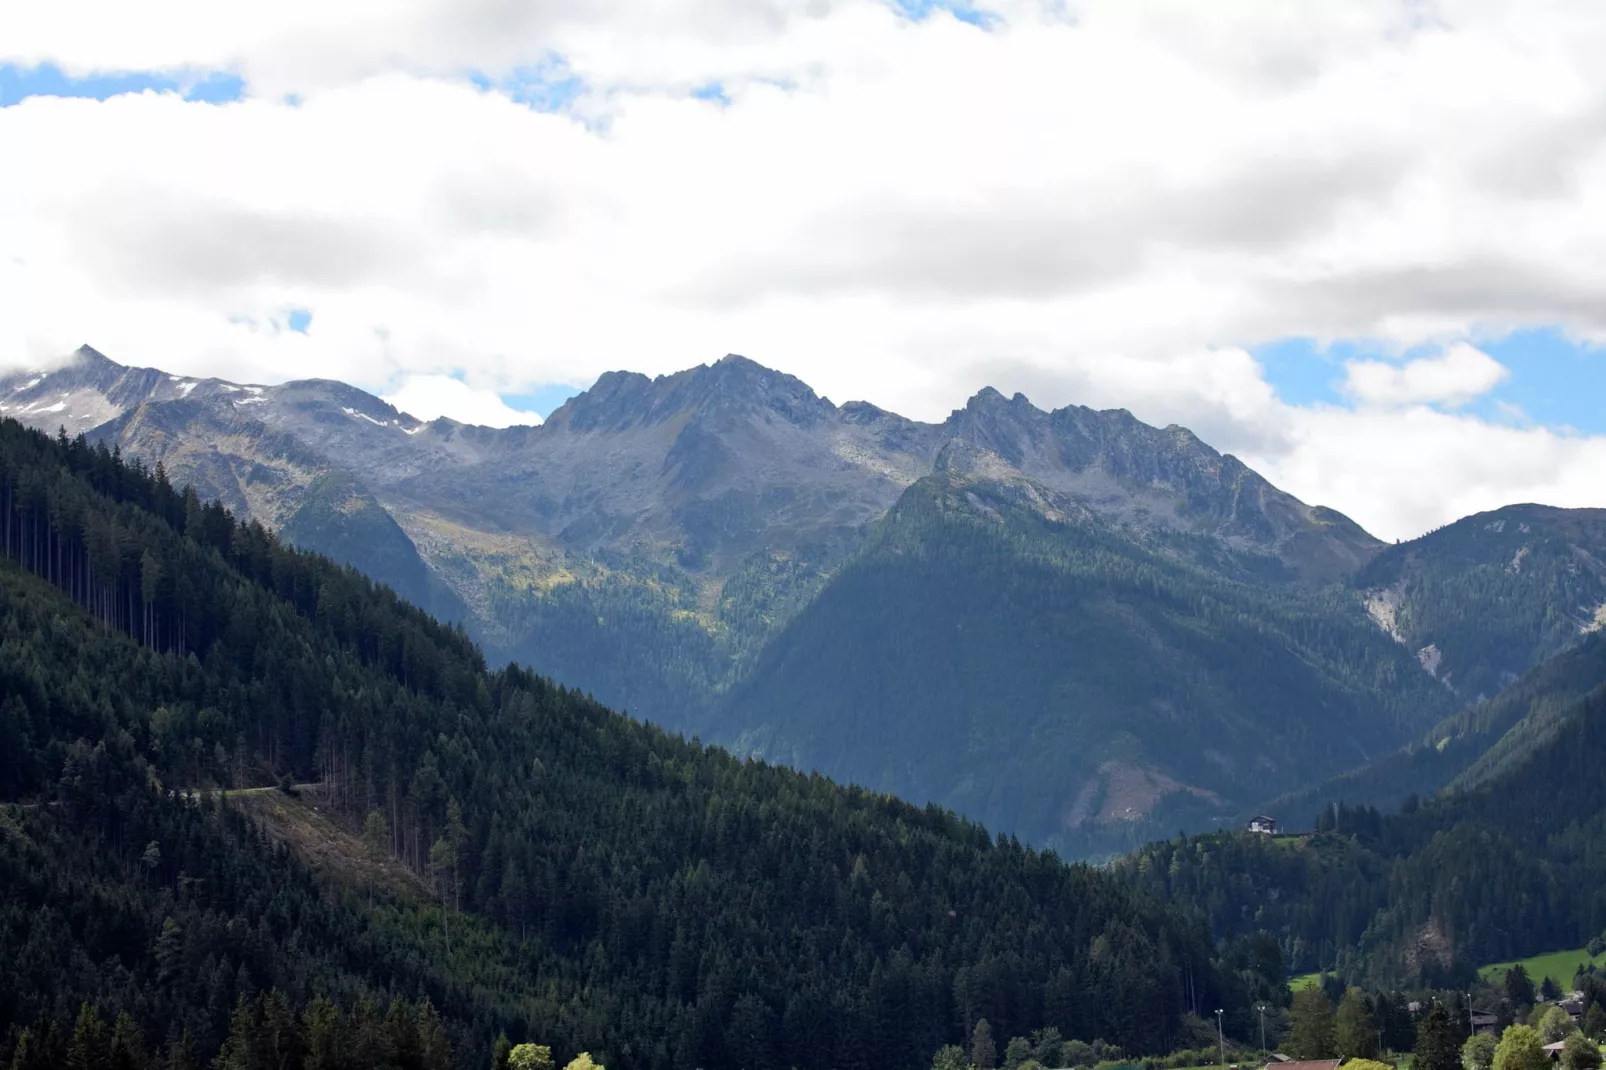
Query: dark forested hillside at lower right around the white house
<point x="1504" y="868"/>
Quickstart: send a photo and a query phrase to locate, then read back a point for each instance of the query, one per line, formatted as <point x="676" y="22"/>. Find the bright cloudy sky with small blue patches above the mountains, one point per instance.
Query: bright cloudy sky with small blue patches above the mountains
<point x="1363" y="247"/>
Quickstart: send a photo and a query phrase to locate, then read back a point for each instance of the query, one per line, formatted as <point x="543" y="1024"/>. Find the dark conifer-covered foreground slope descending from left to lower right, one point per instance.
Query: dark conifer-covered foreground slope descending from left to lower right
<point x="601" y="884"/>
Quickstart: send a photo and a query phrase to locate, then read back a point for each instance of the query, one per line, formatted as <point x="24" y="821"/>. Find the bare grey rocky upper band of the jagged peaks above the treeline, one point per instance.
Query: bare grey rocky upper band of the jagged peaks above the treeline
<point x="703" y="468"/>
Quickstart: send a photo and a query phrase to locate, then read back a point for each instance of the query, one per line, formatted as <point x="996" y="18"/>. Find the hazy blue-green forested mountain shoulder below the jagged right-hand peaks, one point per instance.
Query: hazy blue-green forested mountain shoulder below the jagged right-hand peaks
<point x="1030" y="664"/>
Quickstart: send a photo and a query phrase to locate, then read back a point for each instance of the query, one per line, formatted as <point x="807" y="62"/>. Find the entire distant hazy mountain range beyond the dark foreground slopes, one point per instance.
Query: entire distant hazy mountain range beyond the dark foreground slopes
<point x="1069" y="624"/>
